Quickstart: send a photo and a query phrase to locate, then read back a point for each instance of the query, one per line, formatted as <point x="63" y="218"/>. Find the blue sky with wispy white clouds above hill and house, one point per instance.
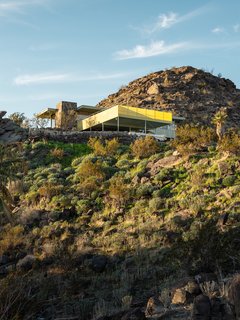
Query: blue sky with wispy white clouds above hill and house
<point x="84" y="50"/>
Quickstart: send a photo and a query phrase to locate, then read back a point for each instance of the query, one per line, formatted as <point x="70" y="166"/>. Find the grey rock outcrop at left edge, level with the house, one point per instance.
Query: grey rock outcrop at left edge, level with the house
<point x="10" y="132"/>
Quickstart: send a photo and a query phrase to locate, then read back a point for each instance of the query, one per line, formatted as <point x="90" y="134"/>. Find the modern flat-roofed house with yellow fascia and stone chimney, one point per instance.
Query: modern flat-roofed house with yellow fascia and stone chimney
<point x="68" y="116"/>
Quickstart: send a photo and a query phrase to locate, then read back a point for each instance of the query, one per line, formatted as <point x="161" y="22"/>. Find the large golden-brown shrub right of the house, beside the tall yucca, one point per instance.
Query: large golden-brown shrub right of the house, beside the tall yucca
<point x="190" y="139"/>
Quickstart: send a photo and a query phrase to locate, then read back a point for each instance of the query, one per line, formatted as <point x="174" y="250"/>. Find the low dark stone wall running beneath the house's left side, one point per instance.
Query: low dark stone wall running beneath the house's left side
<point x="79" y="137"/>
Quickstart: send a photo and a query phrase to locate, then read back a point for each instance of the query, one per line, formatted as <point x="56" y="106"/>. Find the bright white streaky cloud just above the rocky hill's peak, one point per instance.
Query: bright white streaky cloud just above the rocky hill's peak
<point x="154" y="49"/>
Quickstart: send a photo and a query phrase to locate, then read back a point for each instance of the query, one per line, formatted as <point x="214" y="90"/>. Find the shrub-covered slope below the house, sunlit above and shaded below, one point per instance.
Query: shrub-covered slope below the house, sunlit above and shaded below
<point x="98" y="230"/>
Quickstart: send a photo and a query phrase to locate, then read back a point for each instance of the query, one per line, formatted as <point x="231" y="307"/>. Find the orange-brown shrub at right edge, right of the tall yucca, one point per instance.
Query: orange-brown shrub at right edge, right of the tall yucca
<point x="230" y="142"/>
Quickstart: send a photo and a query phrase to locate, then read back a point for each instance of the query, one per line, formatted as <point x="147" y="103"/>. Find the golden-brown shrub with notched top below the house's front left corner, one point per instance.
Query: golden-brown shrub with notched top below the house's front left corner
<point x="108" y="148"/>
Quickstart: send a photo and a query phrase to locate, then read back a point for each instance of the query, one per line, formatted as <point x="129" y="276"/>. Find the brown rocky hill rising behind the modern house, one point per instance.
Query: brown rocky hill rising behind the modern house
<point x="187" y="91"/>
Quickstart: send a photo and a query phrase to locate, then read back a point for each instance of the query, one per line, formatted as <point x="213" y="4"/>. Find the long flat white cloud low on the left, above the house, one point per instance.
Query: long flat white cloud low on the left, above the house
<point x="46" y="78"/>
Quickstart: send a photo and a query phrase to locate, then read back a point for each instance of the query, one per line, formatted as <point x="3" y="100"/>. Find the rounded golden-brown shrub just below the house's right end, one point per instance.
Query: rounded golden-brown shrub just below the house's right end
<point x="144" y="147"/>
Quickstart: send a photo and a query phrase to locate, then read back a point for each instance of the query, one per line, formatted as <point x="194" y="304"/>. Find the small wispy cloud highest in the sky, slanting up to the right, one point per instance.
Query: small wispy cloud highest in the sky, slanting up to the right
<point x="167" y="20"/>
